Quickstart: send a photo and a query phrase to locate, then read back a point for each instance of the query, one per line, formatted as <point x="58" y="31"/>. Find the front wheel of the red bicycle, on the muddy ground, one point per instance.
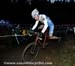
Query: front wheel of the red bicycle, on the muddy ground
<point x="30" y="52"/>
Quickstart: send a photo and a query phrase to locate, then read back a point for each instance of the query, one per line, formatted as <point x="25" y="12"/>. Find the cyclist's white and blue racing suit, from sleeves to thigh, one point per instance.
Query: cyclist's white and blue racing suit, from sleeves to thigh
<point x="47" y="23"/>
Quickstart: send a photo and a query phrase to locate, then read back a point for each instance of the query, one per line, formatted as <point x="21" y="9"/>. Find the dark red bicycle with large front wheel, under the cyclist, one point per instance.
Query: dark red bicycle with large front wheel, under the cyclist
<point x="31" y="51"/>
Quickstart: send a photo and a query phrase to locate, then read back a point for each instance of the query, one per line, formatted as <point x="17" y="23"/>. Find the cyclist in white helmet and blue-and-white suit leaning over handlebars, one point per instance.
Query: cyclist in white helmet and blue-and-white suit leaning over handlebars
<point x="45" y="20"/>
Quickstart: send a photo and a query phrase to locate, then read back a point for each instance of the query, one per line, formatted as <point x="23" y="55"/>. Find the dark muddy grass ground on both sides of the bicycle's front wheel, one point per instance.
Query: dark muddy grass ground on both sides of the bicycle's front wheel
<point x="57" y="53"/>
